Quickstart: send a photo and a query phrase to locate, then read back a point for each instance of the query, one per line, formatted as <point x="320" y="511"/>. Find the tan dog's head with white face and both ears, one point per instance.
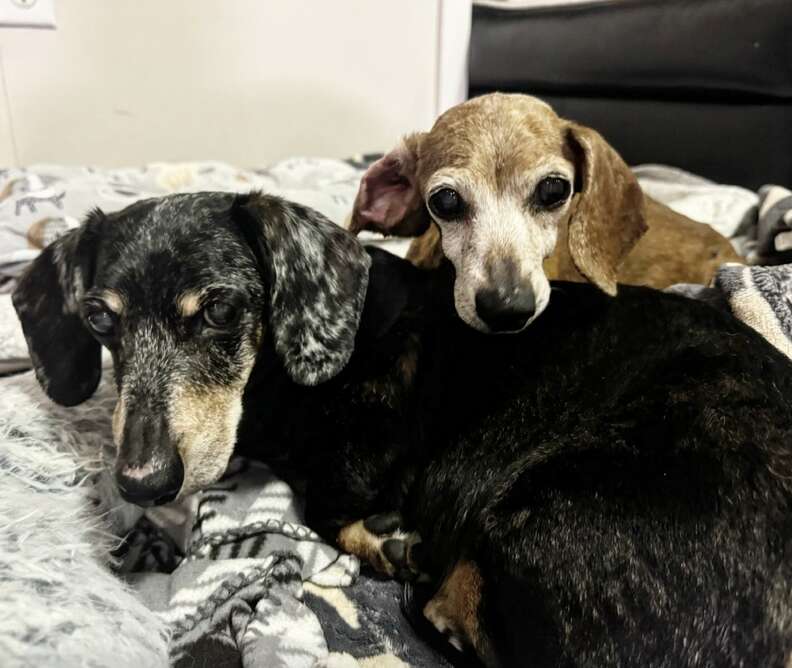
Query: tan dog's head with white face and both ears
<point x="501" y="175"/>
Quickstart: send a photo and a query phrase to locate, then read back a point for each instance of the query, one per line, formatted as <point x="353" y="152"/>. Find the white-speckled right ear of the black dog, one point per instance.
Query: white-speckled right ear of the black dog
<point x="318" y="275"/>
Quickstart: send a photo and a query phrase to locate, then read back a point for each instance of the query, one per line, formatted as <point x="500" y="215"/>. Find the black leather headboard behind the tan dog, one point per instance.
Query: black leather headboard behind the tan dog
<point x="705" y="85"/>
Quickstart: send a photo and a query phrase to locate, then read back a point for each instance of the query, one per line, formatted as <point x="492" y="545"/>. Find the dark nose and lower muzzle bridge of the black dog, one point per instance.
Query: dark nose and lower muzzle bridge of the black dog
<point x="149" y="470"/>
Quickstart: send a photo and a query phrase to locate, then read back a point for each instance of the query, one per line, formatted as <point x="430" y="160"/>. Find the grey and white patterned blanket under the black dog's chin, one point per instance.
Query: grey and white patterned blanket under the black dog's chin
<point x="249" y="584"/>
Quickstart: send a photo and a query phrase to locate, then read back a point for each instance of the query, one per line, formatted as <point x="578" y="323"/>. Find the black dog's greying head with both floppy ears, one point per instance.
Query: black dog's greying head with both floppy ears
<point x="186" y="292"/>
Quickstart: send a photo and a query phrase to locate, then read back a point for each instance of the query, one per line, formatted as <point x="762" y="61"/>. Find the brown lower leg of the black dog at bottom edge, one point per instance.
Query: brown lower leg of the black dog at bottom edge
<point x="454" y="610"/>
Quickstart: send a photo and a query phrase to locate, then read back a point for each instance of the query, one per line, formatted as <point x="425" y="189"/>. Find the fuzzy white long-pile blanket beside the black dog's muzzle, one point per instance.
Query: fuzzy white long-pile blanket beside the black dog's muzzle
<point x="59" y="602"/>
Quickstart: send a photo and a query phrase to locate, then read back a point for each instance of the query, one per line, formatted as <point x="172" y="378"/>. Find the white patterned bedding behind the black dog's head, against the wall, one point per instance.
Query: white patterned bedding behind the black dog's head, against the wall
<point x="41" y="202"/>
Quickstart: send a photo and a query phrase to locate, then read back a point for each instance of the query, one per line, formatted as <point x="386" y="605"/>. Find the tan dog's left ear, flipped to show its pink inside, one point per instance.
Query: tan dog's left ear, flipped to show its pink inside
<point x="389" y="200"/>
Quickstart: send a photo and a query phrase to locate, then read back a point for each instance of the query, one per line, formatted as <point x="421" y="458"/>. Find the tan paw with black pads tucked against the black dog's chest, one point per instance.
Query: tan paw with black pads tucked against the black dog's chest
<point x="382" y="541"/>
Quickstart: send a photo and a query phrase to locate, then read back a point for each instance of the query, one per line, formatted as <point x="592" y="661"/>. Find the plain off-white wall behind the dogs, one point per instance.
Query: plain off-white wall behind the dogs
<point x="246" y="81"/>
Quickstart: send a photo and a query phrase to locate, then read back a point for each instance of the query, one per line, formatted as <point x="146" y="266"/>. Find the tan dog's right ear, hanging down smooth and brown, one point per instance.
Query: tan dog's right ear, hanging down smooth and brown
<point x="609" y="217"/>
